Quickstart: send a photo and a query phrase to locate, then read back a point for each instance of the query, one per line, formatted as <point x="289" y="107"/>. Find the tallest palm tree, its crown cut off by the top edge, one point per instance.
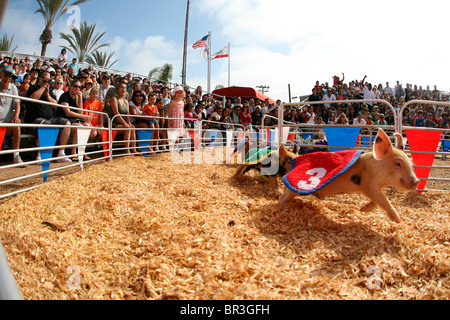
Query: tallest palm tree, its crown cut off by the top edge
<point x="51" y="11"/>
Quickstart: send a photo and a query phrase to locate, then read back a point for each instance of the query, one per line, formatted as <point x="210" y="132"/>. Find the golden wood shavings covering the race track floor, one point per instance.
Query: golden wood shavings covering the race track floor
<point x="151" y="229"/>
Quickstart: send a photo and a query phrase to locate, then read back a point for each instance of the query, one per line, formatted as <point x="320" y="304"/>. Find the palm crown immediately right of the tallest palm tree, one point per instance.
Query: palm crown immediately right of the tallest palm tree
<point x="83" y="41"/>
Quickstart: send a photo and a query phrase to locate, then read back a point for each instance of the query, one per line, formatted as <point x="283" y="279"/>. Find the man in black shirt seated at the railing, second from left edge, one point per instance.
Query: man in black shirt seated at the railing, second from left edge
<point x="40" y="113"/>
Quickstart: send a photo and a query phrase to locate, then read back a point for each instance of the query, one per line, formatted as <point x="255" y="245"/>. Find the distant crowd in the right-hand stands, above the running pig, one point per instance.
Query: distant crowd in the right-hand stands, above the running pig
<point x="419" y="114"/>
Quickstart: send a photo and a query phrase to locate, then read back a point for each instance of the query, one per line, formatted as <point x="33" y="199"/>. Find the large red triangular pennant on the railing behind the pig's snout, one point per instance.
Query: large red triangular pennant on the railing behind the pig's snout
<point x="427" y="141"/>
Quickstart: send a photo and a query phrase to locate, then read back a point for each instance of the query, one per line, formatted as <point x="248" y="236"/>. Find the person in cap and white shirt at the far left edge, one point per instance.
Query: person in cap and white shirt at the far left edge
<point x="10" y="109"/>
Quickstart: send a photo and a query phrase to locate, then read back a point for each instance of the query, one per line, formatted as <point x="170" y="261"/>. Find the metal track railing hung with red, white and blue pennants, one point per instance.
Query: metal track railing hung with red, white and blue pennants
<point x="424" y="144"/>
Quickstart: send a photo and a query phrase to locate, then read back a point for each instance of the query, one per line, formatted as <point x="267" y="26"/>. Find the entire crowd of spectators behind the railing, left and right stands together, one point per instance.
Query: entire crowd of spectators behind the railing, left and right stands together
<point x="132" y="100"/>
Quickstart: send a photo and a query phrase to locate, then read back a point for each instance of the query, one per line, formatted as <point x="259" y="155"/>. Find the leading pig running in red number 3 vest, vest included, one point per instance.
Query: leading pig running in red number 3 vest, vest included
<point x="366" y="173"/>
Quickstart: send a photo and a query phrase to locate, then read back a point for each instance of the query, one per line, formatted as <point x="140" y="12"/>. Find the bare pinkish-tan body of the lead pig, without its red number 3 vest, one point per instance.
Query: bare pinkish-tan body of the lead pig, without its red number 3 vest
<point x="384" y="166"/>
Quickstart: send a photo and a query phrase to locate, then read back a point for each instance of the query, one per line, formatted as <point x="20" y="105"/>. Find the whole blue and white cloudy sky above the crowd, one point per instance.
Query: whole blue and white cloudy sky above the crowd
<point x="273" y="43"/>
